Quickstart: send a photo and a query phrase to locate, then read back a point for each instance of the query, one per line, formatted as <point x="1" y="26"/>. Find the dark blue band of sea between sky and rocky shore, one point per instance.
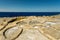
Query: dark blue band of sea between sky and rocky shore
<point x="14" y="14"/>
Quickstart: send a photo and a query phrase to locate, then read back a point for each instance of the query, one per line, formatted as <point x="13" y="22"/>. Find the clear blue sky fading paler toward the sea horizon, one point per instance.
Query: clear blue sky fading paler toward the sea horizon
<point x="29" y="5"/>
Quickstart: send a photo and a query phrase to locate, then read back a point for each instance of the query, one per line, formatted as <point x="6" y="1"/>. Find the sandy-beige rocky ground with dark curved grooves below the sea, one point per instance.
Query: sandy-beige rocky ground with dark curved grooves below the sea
<point x="30" y="28"/>
